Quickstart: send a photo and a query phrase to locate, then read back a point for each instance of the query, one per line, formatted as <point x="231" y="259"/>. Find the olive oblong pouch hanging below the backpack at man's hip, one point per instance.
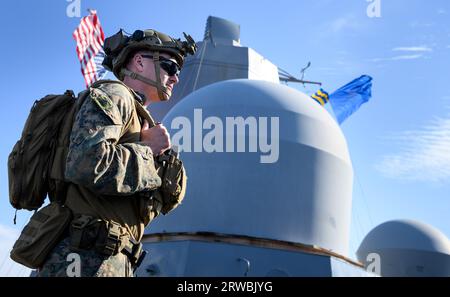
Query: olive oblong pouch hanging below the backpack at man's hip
<point x="42" y="233"/>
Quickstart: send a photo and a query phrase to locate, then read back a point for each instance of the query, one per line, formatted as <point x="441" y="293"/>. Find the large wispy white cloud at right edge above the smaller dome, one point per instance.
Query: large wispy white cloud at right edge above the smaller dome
<point x="424" y="154"/>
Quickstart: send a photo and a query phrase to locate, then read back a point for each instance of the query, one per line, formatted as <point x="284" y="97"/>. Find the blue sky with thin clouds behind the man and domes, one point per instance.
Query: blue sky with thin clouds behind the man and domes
<point x="399" y="142"/>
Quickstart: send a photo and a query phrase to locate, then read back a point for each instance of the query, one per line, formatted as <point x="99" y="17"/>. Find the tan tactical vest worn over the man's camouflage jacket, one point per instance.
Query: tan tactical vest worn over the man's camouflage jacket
<point x="134" y="213"/>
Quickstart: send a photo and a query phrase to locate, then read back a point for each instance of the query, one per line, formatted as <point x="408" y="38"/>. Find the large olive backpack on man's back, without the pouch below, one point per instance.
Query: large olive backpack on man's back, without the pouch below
<point x="35" y="169"/>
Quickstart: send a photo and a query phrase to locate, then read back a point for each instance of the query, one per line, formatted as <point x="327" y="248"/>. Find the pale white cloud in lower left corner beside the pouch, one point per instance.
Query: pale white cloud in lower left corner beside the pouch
<point x="8" y="267"/>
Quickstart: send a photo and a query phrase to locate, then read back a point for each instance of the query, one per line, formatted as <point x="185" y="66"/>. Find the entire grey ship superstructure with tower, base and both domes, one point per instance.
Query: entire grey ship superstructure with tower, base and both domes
<point x="243" y="217"/>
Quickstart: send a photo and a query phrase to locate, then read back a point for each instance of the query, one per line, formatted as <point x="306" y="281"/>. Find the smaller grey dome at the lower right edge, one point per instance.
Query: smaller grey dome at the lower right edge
<point x="407" y="248"/>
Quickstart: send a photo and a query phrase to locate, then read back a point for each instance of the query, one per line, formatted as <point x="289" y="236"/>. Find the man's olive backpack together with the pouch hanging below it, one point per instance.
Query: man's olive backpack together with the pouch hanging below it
<point x="36" y="170"/>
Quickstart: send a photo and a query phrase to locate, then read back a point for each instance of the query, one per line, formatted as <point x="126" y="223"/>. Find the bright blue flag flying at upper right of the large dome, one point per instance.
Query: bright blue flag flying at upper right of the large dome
<point x="347" y="99"/>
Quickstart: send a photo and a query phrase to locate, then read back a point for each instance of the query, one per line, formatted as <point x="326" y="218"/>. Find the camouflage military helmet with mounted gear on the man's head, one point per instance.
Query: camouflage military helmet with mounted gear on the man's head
<point x="119" y="46"/>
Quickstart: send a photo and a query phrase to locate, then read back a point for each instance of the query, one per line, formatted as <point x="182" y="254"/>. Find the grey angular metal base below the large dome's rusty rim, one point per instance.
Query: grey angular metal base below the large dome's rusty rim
<point x="191" y="257"/>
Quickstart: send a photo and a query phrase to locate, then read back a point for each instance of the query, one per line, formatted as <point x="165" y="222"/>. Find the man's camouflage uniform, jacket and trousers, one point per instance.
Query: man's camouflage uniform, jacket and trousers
<point x="109" y="170"/>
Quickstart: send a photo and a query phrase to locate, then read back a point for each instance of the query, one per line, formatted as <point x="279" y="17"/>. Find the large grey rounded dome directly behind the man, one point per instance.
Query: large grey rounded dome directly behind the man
<point x="304" y="196"/>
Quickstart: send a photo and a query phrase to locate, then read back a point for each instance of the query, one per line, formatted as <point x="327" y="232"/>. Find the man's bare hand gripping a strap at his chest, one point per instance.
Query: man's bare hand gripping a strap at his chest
<point x="157" y="138"/>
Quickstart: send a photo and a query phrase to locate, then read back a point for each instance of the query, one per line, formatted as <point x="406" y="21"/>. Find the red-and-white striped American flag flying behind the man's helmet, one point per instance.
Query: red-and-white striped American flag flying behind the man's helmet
<point x="90" y="37"/>
